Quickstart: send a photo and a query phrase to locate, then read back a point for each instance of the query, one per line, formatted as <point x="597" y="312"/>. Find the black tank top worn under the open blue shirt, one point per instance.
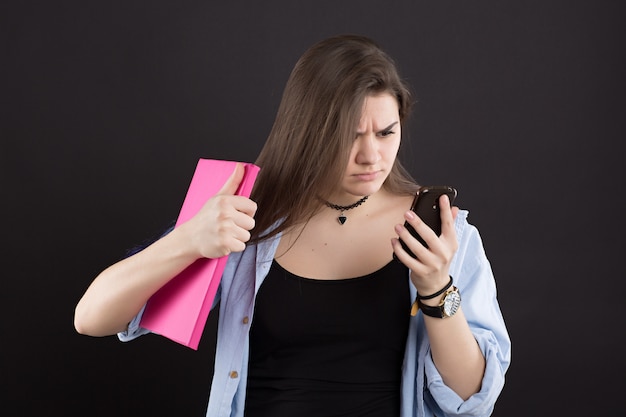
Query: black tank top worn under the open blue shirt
<point x="328" y="347"/>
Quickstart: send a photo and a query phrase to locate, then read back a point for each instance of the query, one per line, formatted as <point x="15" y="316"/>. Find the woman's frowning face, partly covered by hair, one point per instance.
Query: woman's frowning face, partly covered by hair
<point x="374" y="151"/>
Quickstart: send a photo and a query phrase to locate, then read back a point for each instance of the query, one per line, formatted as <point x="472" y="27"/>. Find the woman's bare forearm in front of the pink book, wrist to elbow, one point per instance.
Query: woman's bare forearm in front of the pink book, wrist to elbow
<point x="118" y="293"/>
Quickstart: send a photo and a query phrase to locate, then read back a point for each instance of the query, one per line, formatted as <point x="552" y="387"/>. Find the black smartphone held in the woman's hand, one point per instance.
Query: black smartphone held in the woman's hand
<point x="426" y="206"/>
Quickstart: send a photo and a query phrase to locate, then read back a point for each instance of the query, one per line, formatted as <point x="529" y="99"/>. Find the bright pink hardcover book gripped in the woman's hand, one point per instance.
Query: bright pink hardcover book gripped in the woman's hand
<point x="179" y="310"/>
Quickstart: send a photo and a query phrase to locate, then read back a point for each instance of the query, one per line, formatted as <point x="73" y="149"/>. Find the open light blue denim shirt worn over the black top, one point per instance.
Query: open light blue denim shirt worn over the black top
<point x="423" y="390"/>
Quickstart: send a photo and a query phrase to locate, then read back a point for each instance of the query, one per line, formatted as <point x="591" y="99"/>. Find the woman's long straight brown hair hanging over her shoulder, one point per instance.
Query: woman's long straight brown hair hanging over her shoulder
<point x="304" y="156"/>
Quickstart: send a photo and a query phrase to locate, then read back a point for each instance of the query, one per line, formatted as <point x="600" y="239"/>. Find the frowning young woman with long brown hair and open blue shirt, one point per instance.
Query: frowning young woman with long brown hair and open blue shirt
<point x="315" y="314"/>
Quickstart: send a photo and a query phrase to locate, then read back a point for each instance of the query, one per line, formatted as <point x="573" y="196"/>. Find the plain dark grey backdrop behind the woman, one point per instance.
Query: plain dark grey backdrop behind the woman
<point x="106" y="107"/>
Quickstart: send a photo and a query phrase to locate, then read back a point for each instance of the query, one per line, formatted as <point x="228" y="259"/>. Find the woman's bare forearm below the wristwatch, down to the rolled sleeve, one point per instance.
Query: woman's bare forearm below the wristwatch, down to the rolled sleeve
<point x="456" y="353"/>
